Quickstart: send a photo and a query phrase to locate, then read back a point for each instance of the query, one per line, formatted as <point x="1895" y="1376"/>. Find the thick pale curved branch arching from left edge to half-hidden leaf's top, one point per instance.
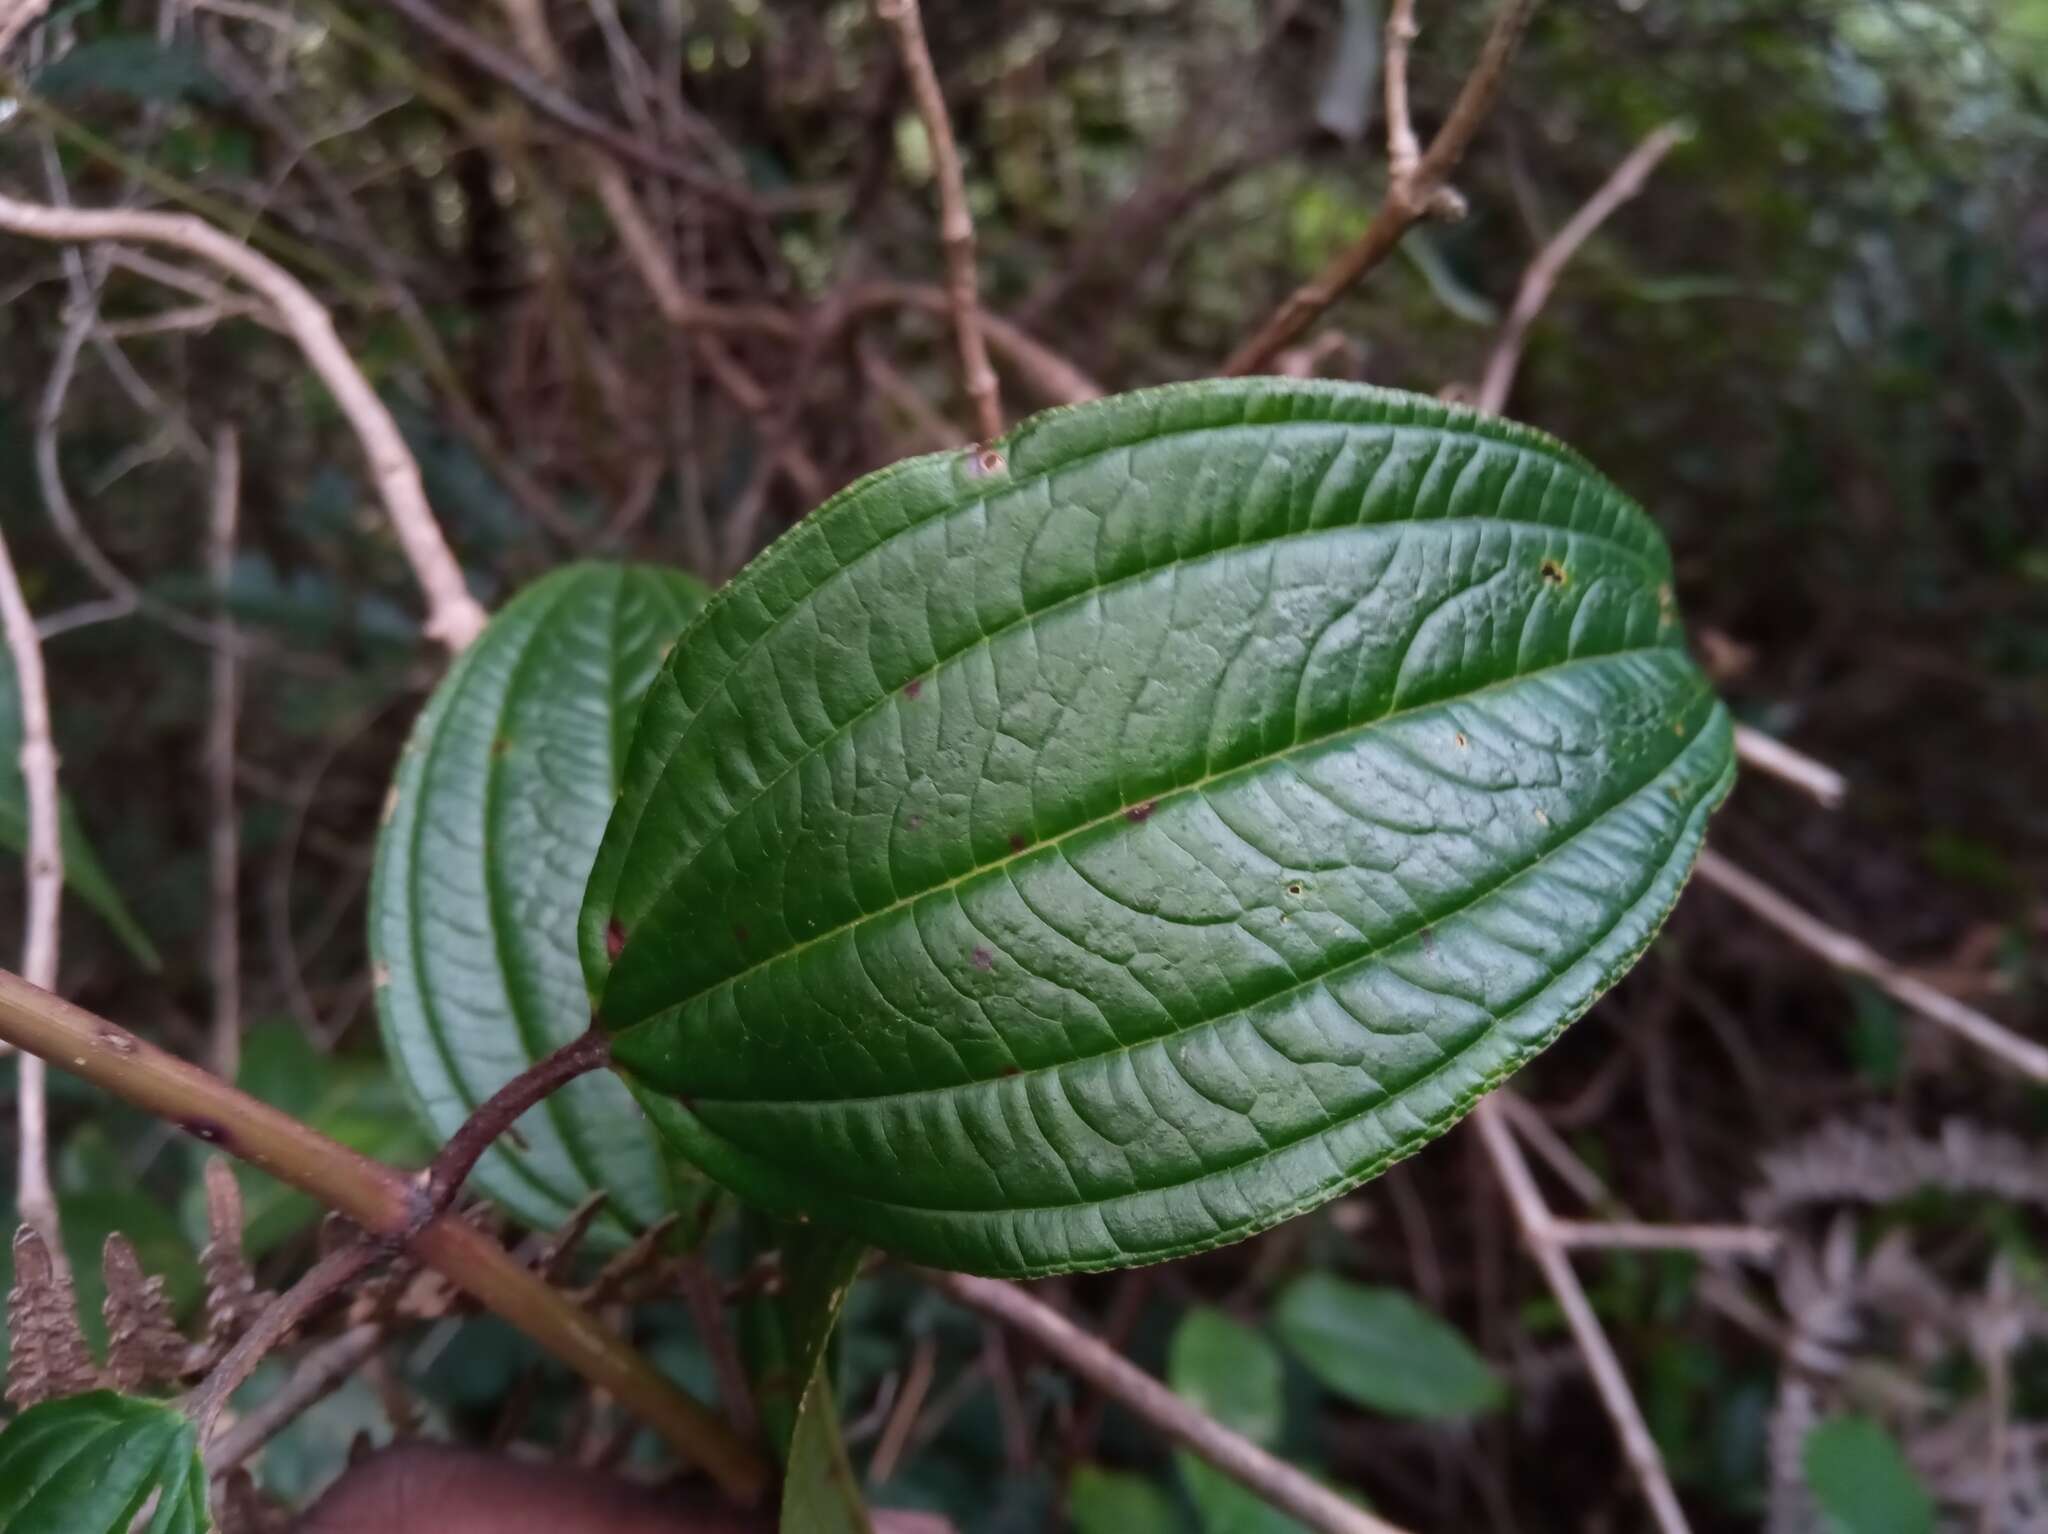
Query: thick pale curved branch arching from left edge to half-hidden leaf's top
<point x="454" y="615"/>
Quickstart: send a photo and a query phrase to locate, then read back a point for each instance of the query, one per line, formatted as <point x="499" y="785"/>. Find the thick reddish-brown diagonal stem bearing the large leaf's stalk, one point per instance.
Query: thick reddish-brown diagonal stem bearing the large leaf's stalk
<point x="384" y="1201"/>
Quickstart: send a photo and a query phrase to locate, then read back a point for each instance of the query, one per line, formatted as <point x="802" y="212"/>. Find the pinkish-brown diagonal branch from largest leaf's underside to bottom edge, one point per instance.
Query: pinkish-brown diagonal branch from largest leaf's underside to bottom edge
<point x="1144" y="1398"/>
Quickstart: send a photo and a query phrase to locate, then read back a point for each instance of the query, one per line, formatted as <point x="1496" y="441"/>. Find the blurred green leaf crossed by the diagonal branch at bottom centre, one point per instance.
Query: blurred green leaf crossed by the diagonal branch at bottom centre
<point x="1234" y="1375"/>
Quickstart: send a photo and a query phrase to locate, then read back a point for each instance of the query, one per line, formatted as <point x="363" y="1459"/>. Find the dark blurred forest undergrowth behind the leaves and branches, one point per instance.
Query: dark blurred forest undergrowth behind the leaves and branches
<point x="1816" y="347"/>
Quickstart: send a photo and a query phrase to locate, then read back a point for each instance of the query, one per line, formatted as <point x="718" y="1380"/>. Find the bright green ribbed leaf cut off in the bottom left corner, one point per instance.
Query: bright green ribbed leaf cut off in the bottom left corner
<point x="89" y="1465"/>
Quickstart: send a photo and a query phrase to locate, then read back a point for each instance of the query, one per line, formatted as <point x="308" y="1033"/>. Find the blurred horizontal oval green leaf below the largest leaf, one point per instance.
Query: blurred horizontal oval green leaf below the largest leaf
<point x="1383" y="1351"/>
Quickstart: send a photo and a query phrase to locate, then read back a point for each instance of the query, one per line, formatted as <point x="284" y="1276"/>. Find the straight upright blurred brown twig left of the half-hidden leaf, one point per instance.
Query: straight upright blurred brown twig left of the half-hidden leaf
<point x="224" y="841"/>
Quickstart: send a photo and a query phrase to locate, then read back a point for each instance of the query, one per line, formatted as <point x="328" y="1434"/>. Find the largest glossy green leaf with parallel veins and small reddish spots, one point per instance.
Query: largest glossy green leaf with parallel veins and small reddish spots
<point x="1107" y="847"/>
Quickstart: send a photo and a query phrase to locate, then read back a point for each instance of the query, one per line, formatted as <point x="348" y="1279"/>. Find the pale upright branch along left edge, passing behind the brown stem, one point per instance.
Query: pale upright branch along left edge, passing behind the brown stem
<point x="44" y="871"/>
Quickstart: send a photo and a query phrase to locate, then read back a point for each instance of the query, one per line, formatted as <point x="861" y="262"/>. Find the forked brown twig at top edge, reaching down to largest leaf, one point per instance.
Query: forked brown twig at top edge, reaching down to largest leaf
<point x="1418" y="185"/>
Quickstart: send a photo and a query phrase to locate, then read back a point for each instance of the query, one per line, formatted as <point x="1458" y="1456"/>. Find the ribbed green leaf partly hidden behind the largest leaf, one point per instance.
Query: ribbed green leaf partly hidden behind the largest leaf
<point x="499" y="808"/>
